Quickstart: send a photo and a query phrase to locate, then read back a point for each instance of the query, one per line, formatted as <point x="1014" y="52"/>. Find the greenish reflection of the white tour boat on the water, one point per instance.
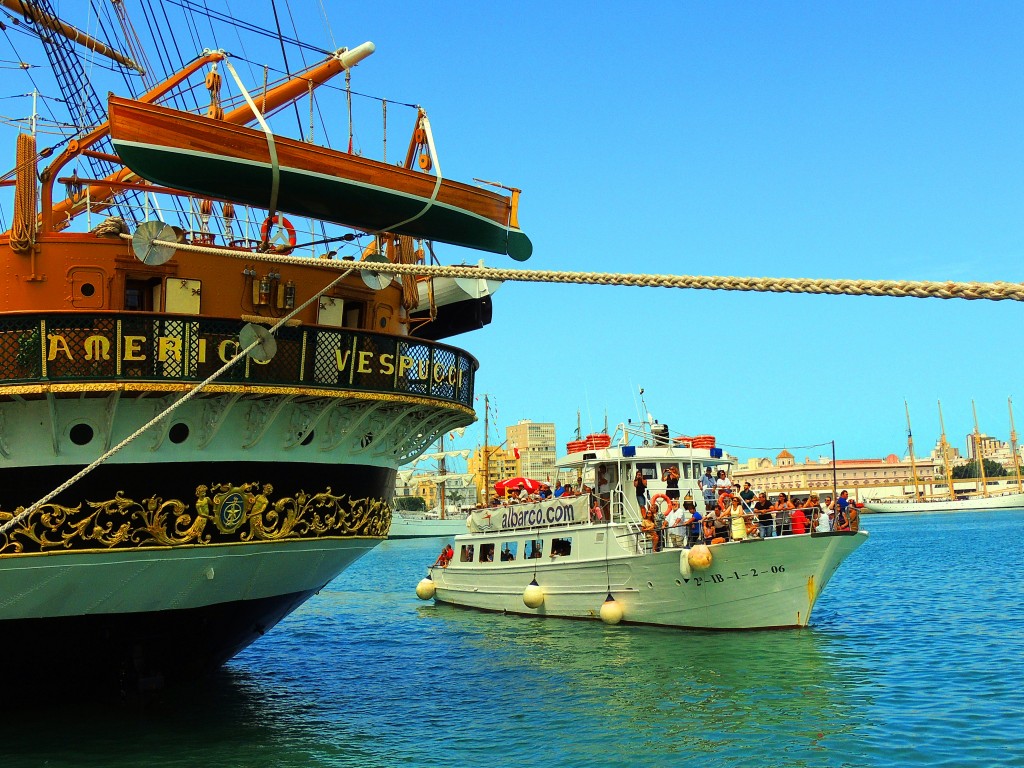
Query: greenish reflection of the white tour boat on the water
<point x="666" y="689"/>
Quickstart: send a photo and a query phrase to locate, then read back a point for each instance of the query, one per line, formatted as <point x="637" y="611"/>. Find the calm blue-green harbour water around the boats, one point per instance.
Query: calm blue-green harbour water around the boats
<point x="916" y="658"/>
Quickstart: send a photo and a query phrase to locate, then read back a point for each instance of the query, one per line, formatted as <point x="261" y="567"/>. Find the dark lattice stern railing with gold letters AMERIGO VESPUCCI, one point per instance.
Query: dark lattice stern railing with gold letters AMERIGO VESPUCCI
<point x="144" y="348"/>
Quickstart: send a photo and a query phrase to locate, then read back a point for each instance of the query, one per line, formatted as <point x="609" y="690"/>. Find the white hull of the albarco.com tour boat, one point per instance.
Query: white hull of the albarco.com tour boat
<point x="750" y="585"/>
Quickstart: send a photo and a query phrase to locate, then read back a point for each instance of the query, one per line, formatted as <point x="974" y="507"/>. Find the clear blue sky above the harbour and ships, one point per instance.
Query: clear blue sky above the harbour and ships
<point x="859" y="141"/>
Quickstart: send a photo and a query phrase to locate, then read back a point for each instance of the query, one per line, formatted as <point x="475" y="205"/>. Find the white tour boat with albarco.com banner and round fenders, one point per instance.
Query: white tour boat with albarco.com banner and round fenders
<point x="559" y="559"/>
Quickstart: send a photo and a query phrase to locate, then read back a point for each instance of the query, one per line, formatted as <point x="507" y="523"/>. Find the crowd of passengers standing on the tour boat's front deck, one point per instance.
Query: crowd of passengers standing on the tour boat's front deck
<point x="734" y="516"/>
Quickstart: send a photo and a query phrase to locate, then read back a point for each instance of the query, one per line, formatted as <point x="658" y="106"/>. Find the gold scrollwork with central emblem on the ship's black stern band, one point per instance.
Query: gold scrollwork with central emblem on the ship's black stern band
<point x="222" y="515"/>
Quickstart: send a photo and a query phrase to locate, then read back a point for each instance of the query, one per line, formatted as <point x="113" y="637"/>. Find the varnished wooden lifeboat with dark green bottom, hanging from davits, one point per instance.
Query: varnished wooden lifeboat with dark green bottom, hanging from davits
<point x="218" y="159"/>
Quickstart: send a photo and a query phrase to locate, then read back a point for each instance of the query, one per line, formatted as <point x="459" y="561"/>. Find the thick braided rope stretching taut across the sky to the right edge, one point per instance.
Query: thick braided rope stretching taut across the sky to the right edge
<point x="997" y="291"/>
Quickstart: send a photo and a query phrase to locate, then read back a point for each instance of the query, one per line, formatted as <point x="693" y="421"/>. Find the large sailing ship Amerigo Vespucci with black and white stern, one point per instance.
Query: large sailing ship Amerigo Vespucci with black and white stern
<point x="167" y="499"/>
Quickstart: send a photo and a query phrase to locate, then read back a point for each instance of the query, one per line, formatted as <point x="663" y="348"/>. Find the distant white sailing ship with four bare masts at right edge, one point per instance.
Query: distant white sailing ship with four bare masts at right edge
<point x="954" y="500"/>
